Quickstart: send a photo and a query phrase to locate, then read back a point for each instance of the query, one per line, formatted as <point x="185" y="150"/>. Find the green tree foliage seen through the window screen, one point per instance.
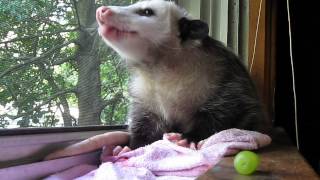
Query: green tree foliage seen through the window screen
<point x="45" y="55"/>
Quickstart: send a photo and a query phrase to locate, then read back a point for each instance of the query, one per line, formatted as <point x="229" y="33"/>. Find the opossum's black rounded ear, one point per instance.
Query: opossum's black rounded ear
<point x="192" y="29"/>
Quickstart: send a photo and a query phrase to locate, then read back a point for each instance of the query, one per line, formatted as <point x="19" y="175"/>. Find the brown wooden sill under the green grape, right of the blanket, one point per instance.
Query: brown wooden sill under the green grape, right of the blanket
<point x="280" y="160"/>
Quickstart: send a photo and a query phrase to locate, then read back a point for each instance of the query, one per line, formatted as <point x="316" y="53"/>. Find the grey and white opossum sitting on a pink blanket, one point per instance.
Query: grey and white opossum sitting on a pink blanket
<point x="181" y="80"/>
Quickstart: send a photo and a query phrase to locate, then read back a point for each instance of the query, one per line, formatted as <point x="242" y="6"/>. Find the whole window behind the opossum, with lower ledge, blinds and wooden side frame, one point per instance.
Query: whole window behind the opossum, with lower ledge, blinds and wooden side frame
<point x="56" y="72"/>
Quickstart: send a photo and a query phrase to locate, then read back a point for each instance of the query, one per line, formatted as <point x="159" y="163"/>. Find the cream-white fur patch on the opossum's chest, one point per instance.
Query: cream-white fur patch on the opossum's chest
<point x="169" y="95"/>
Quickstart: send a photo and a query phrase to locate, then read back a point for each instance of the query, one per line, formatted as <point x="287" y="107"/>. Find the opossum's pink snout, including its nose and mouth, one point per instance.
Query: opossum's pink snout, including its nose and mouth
<point x="109" y="27"/>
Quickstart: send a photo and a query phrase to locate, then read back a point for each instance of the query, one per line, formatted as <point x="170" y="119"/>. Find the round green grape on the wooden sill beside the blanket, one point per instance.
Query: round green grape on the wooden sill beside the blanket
<point x="246" y="162"/>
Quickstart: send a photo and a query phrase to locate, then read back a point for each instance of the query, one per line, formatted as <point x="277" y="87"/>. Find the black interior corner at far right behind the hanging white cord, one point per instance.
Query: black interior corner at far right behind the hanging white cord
<point x="302" y="24"/>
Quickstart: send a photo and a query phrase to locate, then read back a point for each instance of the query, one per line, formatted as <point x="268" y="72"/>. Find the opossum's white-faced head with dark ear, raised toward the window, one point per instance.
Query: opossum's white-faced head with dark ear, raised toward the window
<point x="133" y="30"/>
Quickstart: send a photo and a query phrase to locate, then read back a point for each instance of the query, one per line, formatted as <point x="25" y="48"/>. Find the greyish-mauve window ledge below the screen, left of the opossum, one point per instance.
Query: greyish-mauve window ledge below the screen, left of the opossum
<point x="32" y="145"/>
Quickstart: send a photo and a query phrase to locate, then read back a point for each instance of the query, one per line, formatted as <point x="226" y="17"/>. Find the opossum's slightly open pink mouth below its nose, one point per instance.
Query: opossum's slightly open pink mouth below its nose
<point x="114" y="33"/>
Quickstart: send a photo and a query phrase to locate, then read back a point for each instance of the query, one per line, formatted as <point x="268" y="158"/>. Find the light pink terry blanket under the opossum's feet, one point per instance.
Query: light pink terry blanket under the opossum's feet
<point x="166" y="160"/>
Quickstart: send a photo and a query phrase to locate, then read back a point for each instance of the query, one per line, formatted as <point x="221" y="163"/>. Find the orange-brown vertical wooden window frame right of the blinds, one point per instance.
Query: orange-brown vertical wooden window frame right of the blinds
<point x="263" y="70"/>
